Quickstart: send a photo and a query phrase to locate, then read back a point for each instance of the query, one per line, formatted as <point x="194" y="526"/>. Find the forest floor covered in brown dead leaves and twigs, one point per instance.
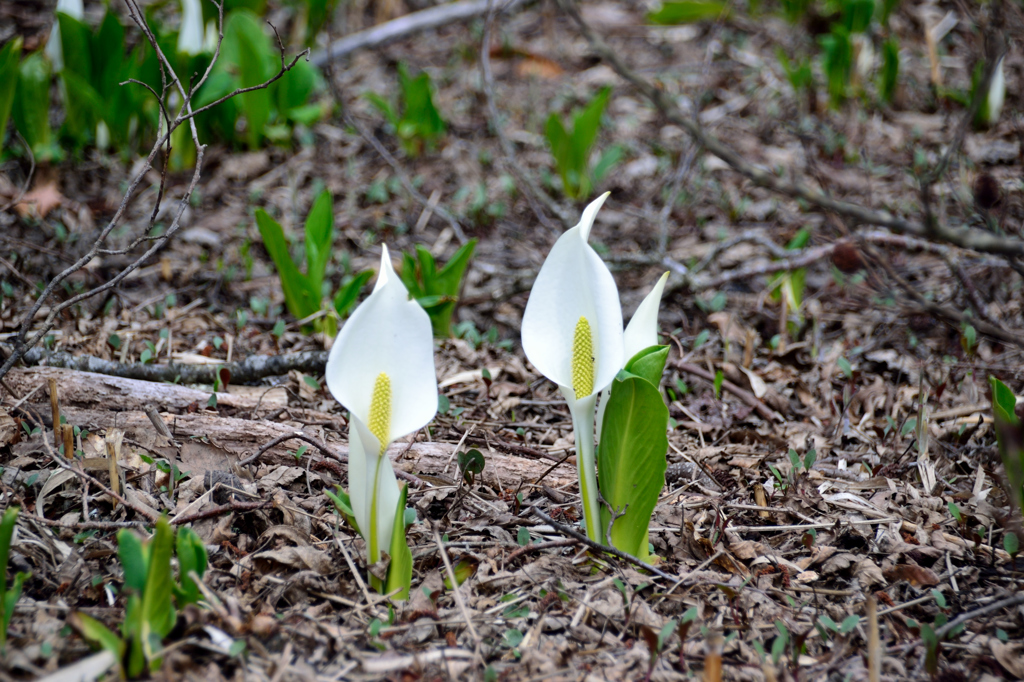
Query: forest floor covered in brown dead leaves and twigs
<point x="847" y="456"/>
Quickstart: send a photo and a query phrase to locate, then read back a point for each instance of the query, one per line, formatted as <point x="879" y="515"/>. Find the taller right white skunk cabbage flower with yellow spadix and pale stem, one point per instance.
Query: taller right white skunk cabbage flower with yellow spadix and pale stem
<point x="573" y="334"/>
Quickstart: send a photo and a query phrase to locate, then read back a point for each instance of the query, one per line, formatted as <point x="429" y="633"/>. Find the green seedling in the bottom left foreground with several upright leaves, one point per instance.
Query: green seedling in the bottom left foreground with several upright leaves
<point x="151" y="614"/>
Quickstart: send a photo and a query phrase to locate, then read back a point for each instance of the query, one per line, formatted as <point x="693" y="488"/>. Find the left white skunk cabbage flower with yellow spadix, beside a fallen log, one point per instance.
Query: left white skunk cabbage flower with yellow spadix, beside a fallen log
<point x="381" y="369"/>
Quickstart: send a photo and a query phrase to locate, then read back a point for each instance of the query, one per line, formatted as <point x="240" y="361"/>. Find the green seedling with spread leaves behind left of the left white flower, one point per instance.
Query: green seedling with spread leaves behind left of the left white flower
<point x="304" y="293"/>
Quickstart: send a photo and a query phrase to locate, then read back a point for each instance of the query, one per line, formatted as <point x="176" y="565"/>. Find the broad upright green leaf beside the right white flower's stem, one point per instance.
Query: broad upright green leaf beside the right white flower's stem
<point x="632" y="460"/>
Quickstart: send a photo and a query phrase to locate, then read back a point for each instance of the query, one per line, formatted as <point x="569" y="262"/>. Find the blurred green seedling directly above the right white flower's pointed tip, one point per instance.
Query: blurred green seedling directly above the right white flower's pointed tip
<point x="573" y="150"/>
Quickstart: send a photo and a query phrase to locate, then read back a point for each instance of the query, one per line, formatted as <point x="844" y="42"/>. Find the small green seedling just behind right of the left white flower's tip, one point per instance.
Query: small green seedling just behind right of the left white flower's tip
<point x="437" y="290"/>
